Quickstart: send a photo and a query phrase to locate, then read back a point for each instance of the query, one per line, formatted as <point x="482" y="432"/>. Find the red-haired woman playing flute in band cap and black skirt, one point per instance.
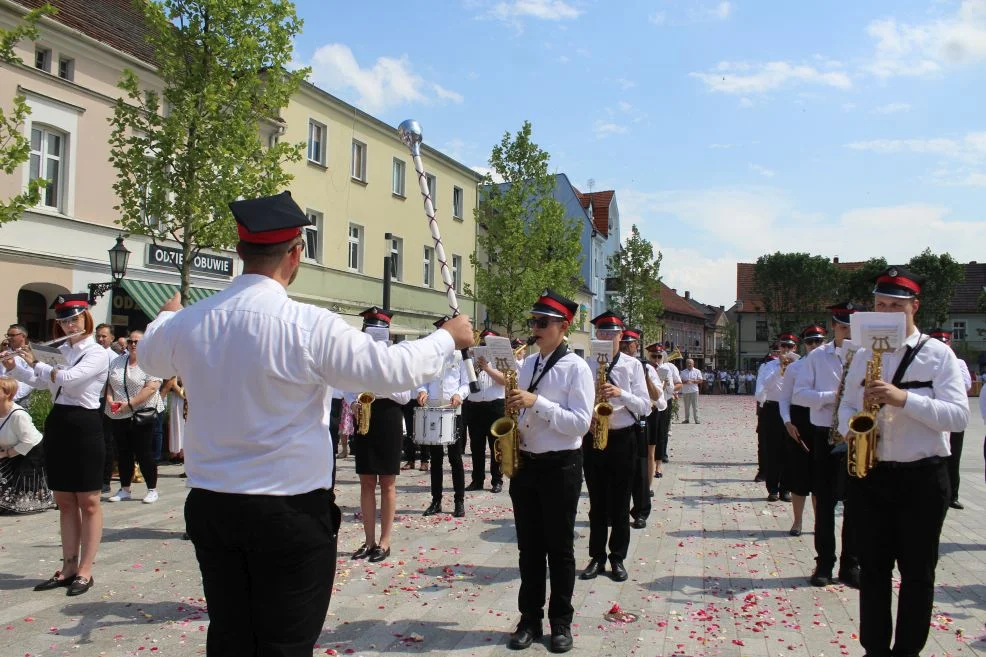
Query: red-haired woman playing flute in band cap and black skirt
<point x="73" y="438"/>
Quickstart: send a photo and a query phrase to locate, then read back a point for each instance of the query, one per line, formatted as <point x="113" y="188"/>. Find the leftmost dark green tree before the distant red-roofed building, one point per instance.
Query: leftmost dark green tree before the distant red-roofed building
<point x="795" y="288"/>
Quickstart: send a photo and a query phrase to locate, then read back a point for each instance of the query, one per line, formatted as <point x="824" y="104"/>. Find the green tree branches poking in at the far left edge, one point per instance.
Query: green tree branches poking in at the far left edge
<point x="15" y="147"/>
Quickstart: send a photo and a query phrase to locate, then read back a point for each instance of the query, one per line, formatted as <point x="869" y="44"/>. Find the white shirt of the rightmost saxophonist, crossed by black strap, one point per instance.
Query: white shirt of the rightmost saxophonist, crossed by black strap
<point x="920" y="429"/>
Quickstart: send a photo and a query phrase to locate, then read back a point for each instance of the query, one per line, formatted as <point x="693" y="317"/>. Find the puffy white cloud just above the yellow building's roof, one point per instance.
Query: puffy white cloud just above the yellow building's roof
<point x="388" y="83"/>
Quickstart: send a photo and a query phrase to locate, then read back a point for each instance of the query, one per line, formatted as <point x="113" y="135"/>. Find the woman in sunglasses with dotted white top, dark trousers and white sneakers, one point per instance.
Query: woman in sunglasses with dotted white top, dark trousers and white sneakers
<point x="130" y="390"/>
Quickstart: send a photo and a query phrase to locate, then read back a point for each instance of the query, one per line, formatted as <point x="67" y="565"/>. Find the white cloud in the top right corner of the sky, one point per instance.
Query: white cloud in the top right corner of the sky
<point x="926" y="49"/>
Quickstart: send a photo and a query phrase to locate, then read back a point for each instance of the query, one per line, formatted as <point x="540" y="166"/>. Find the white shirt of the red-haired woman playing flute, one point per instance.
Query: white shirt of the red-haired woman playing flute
<point x="81" y="380"/>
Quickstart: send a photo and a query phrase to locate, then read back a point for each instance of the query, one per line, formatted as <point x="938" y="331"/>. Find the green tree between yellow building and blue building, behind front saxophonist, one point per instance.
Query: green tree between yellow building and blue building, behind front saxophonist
<point x="526" y="242"/>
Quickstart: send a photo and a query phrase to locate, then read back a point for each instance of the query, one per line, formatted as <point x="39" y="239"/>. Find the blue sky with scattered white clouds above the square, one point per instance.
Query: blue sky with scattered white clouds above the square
<point x="728" y="129"/>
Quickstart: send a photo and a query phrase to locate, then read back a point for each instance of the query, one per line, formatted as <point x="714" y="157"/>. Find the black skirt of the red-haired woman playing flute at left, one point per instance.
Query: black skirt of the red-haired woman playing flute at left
<point x="74" y="449"/>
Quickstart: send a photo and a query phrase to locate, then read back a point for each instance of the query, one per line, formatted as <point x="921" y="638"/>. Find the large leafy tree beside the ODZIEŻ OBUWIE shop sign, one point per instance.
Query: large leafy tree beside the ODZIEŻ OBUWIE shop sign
<point x="182" y="154"/>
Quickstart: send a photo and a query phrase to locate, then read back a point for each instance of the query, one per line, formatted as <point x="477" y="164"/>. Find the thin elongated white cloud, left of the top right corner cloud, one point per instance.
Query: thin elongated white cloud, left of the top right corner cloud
<point x="743" y="78"/>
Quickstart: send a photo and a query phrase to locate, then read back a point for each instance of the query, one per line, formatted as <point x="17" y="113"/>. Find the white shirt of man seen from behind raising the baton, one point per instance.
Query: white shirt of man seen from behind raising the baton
<point x="259" y="368"/>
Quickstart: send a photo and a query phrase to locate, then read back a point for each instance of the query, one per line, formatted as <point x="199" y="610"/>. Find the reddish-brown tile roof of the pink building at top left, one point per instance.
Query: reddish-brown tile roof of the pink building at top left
<point x="117" y="23"/>
